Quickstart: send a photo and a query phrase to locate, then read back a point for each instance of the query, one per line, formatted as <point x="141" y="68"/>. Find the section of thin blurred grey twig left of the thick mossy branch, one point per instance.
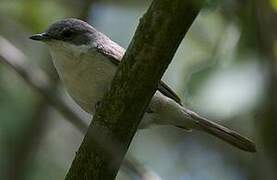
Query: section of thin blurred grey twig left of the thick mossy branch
<point x="38" y="80"/>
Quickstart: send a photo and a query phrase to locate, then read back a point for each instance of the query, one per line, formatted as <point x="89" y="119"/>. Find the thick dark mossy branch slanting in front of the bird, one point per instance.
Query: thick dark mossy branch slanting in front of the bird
<point x="157" y="38"/>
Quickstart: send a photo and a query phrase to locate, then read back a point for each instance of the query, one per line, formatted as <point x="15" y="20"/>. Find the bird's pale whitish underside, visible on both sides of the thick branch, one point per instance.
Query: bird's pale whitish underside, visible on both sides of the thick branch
<point x="87" y="75"/>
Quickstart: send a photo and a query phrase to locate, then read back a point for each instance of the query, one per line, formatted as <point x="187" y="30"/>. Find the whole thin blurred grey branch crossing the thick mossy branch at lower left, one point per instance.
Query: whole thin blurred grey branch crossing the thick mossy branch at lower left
<point x="39" y="81"/>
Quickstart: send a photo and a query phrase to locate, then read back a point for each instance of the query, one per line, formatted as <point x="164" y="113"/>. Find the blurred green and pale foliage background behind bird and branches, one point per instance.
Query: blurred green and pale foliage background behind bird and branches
<point x="225" y="69"/>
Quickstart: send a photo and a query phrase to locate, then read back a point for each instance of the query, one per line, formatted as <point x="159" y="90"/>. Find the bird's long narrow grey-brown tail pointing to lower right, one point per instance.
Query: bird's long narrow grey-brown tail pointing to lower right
<point x="221" y="132"/>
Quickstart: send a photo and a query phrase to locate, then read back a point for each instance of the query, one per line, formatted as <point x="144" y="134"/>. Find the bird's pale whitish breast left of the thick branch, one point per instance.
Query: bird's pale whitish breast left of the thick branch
<point x="86" y="73"/>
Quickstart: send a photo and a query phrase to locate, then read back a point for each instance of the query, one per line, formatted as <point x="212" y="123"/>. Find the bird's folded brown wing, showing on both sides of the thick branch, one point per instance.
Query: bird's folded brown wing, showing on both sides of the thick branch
<point x="114" y="52"/>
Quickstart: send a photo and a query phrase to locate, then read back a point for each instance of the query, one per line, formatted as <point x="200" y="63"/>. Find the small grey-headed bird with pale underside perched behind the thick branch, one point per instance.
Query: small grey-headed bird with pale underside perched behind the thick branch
<point x="86" y="61"/>
